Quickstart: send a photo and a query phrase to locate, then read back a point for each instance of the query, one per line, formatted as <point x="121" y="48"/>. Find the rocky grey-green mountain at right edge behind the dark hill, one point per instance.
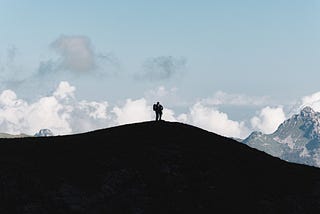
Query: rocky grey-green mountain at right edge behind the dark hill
<point x="296" y="139"/>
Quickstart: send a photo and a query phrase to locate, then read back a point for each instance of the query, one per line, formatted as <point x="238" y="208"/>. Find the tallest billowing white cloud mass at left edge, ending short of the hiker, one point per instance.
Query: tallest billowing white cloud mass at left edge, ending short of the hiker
<point x="60" y="112"/>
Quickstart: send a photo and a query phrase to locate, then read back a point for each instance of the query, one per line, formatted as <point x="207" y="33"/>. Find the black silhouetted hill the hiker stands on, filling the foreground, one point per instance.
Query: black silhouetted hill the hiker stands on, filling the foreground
<point x="150" y="168"/>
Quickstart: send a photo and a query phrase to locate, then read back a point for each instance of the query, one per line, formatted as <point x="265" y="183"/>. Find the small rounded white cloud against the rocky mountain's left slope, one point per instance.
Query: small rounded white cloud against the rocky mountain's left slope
<point x="268" y="119"/>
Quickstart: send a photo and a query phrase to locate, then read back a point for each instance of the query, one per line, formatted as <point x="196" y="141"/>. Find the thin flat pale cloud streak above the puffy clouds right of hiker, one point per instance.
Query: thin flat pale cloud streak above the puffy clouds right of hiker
<point x="223" y="98"/>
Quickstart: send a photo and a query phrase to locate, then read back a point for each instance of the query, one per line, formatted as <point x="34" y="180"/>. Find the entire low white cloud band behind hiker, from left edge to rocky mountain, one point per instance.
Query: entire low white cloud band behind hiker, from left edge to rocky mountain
<point x="63" y="113"/>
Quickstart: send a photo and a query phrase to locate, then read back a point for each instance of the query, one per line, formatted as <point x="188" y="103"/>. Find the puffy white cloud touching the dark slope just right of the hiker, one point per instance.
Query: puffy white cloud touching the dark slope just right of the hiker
<point x="213" y="120"/>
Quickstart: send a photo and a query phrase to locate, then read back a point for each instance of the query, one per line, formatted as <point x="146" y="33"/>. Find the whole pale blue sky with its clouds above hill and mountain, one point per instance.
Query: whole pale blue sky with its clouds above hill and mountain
<point x="231" y="67"/>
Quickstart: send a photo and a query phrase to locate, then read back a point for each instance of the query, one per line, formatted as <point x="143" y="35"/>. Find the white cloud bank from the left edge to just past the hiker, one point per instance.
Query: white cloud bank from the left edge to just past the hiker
<point x="63" y="113"/>
